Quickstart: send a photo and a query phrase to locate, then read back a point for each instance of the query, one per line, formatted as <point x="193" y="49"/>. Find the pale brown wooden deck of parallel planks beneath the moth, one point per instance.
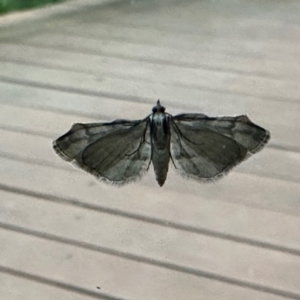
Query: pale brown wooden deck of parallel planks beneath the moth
<point x="63" y="234"/>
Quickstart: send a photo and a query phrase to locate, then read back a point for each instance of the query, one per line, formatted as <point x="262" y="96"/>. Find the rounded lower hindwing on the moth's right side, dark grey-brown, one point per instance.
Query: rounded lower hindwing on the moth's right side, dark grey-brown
<point x="201" y="153"/>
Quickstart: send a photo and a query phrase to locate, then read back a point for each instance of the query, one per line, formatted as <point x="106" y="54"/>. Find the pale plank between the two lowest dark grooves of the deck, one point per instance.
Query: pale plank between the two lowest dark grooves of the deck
<point x="88" y="269"/>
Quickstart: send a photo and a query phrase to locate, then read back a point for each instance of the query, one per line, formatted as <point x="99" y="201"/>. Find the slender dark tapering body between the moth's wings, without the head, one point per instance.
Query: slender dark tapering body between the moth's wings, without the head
<point x="160" y="142"/>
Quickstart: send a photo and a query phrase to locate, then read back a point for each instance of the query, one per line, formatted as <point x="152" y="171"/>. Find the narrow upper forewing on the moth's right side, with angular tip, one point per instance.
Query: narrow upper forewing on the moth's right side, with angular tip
<point x="239" y="128"/>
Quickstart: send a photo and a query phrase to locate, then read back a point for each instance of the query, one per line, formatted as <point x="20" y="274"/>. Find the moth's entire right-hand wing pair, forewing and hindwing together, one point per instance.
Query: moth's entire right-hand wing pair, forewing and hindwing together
<point x="205" y="148"/>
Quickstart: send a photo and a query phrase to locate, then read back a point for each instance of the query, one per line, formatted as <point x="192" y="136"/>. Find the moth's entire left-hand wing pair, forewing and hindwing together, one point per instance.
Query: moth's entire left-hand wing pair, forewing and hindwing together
<point x="117" y="152"/>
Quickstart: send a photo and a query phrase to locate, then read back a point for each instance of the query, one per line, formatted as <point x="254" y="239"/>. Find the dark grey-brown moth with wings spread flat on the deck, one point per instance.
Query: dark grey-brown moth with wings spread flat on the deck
<point x="200" y="147"/>
